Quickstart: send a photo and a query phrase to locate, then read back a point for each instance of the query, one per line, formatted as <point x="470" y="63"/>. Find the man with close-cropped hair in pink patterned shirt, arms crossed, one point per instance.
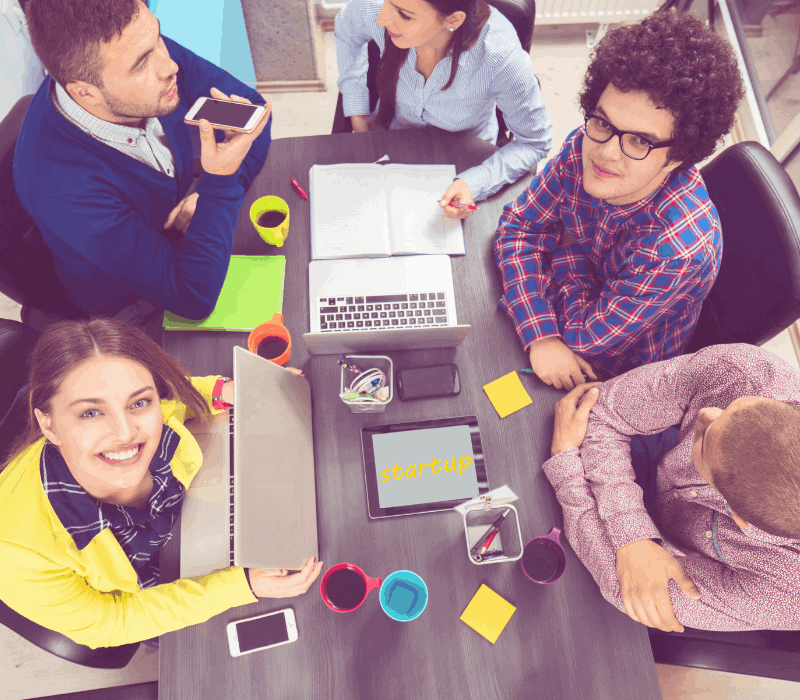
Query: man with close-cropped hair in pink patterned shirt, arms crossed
<point x="718" y="545"/>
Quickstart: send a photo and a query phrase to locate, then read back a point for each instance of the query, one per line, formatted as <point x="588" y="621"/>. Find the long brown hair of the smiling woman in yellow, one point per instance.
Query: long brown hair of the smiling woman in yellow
<point x="65" y="345"/>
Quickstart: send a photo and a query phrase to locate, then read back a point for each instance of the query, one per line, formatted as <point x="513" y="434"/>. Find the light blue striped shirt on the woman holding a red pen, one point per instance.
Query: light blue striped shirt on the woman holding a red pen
<point x="495" y="71"/>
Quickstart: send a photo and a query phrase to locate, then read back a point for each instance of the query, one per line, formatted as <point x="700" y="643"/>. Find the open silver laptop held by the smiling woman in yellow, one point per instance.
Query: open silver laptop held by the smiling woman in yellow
<point x="253" y="501"/>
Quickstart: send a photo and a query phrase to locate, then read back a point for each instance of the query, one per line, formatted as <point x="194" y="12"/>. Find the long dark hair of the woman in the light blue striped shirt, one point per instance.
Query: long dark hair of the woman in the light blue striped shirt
<point x="392" y="60"/>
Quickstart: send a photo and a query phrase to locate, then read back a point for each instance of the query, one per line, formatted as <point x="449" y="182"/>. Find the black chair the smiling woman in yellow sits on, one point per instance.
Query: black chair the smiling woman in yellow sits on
<point x="16" y="342"/>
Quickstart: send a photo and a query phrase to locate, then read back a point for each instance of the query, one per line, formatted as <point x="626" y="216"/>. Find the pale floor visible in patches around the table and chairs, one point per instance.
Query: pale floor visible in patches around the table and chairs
<point x="559" y="58"/>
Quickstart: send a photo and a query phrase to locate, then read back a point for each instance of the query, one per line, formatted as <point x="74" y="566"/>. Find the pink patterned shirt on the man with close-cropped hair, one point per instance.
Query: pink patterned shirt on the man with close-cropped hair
<point x="747" y="578"/>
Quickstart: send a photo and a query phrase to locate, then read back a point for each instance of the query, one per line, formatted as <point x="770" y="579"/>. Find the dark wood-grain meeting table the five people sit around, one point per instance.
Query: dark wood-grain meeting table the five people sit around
<point x="563" y="641"/>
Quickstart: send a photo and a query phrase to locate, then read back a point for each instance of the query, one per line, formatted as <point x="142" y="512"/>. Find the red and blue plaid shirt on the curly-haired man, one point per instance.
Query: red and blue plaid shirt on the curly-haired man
<point x="621" y="285"/>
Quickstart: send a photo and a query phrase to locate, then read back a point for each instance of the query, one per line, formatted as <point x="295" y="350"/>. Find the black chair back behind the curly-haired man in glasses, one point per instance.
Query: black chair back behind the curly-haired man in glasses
<point x="757" y="292"/>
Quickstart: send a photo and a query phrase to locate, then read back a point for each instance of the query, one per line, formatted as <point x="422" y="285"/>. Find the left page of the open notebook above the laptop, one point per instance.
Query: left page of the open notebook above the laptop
<point x="349" y="215"/>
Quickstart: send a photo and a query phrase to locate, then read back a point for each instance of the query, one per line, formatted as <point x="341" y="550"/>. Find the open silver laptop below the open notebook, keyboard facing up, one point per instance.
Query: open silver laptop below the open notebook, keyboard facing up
<point x="397" y="303"/>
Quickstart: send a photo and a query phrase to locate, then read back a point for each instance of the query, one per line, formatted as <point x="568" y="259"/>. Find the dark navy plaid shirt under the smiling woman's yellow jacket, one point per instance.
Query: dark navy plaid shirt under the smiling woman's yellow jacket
<point x="141" y="535"/>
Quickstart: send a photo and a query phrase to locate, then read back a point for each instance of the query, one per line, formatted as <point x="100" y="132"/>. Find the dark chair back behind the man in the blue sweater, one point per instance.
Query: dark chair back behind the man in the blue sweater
<point x="27" y="273"/>
